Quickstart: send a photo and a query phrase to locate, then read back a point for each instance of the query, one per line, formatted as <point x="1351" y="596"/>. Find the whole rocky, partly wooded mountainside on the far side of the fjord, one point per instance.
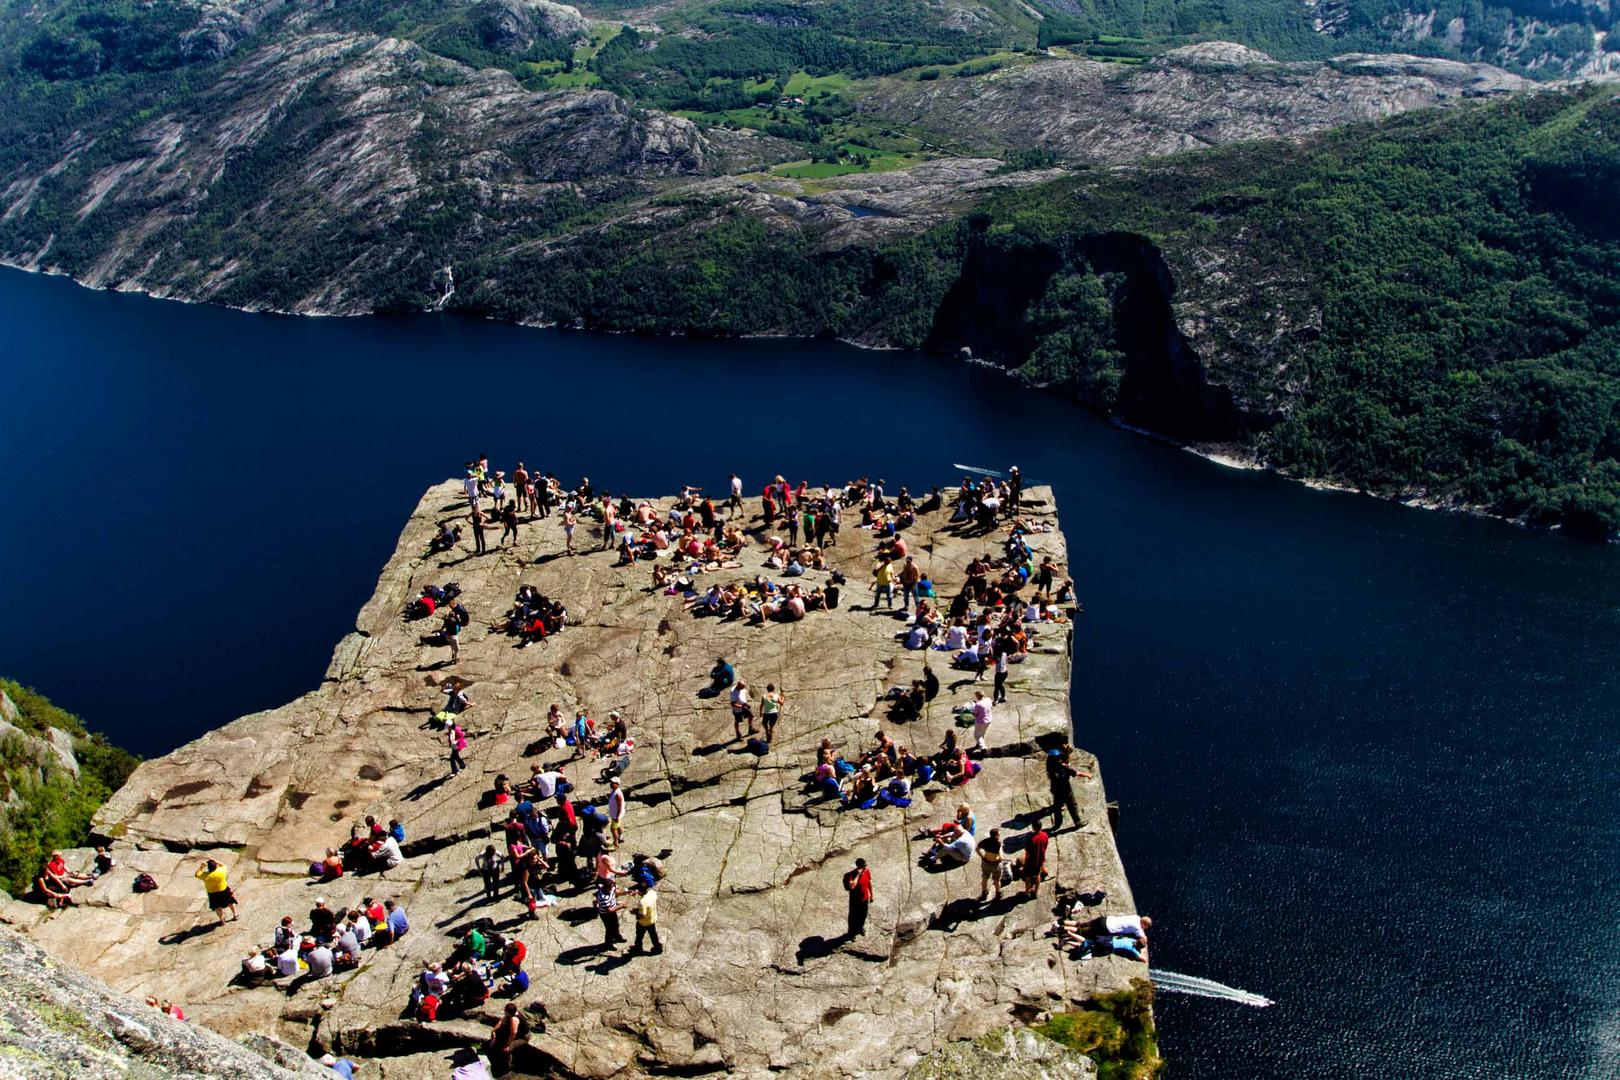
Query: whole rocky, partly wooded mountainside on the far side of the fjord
<point x="804" y="168"/>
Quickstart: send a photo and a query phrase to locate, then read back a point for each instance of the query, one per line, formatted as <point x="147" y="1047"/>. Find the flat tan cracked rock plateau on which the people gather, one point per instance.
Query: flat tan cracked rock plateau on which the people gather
<point x="754" y="980"/>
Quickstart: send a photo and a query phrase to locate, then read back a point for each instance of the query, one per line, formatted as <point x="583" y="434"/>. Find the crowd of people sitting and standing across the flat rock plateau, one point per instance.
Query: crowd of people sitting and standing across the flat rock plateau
<point x="558" y="841"/>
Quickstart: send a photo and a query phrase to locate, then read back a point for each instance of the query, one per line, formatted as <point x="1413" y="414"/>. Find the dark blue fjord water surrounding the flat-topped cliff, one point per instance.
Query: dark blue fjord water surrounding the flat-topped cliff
<point x="1366" y="755"/>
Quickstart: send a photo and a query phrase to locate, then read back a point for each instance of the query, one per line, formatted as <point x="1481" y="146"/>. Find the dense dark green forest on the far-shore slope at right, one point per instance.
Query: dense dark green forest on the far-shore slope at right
<point x="1464" y="266"/>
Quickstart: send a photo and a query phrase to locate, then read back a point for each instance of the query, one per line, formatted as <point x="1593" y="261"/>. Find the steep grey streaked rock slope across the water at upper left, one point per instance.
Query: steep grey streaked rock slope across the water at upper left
<point x="318" y="174"/>
